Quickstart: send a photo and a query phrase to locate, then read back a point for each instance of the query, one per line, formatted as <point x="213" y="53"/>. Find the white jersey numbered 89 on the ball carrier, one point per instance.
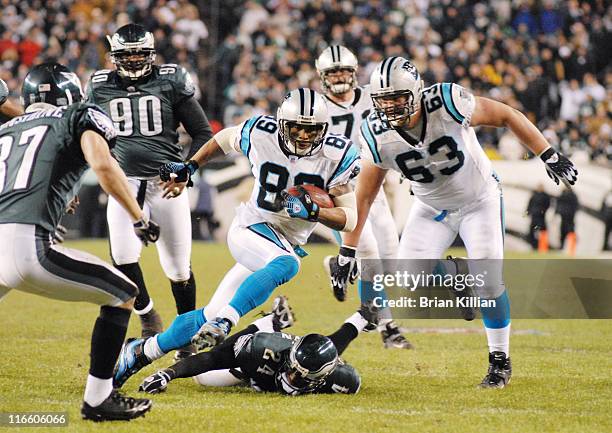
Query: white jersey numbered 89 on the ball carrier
<point x="335" y="163"/>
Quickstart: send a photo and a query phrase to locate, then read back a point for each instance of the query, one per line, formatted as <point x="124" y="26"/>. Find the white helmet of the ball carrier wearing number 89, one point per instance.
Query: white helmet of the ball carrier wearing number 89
<point x="302" y="121"/>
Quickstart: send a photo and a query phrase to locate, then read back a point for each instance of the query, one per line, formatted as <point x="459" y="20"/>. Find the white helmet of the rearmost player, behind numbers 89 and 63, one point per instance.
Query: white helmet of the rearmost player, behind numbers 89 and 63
<point x="333" y="58"/>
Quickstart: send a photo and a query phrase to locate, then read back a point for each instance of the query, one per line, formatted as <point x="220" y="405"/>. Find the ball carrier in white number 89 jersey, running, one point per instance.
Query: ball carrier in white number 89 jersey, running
<point x="266" y="235"/>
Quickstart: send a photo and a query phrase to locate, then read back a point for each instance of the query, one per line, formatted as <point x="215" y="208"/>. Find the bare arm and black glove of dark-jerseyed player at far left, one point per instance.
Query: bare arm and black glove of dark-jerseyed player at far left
<point x="113" y="182"/>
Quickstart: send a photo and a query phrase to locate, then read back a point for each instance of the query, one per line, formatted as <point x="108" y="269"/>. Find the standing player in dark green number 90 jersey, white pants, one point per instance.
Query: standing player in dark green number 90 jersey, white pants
<point x="147" y="102"/>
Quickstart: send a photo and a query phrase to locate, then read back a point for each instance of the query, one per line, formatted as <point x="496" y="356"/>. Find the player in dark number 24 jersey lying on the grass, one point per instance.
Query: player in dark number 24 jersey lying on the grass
<point x="275" y="361"/>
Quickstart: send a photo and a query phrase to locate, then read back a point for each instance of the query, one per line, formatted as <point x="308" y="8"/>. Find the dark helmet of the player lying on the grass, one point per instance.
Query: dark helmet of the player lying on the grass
<point x="310" y="361"/>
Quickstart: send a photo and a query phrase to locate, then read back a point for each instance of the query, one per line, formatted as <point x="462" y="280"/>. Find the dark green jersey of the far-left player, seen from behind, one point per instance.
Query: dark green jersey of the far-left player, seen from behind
<point x="41" y="161"/>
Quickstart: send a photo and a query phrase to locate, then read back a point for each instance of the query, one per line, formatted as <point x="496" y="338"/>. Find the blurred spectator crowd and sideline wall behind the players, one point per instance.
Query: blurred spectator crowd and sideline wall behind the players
<point x="550" y="59"/>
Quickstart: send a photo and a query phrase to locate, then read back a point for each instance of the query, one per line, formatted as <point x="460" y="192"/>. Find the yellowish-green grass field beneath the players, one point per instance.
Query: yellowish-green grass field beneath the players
<point x="561" y="382"/>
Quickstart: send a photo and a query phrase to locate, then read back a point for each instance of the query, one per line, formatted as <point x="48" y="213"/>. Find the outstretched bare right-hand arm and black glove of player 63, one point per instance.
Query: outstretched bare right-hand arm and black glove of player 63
<point x="493" y="113"/>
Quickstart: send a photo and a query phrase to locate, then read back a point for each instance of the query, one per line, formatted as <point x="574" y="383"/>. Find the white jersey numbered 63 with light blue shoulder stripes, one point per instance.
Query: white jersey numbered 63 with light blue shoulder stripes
<point x="446" y="165"/>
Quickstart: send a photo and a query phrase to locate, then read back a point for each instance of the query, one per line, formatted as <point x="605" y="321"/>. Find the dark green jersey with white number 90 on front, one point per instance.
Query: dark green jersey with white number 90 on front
<point x="144" y="116"/>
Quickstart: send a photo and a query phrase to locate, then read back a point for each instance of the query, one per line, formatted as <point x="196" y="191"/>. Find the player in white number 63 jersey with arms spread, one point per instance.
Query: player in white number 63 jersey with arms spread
<point x="428" y="136"/>
